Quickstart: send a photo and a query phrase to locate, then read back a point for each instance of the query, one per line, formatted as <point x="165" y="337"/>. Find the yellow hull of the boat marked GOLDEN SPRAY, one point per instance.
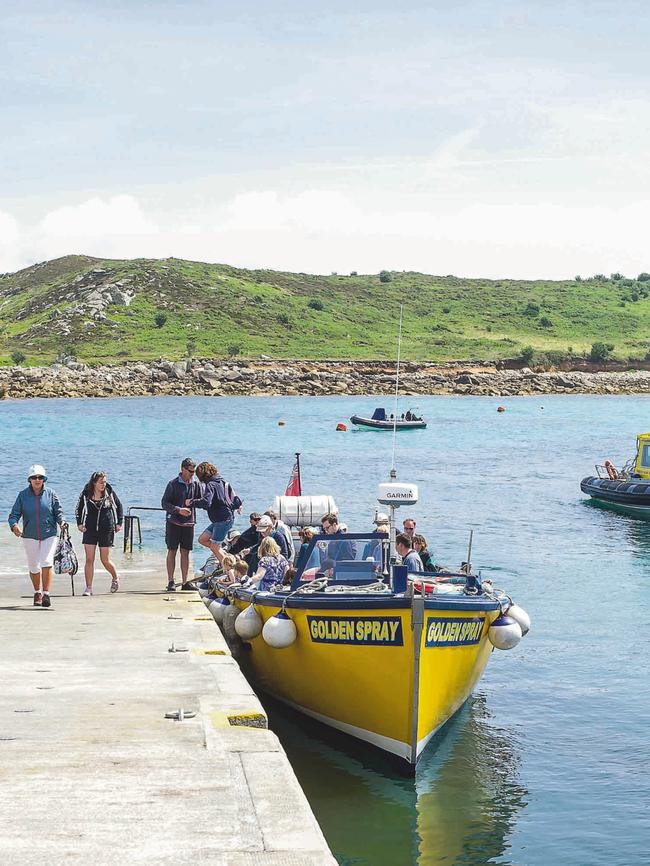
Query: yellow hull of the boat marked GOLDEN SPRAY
<point x="374" y="672"/>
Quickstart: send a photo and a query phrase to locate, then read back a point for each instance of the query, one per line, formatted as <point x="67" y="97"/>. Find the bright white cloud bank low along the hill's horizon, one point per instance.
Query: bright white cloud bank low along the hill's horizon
<point x="320" y="230"/>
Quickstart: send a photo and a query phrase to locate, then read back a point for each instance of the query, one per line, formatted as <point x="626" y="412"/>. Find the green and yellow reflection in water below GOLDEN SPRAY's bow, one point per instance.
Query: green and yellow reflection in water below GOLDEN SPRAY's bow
<point x="460" y="809"/>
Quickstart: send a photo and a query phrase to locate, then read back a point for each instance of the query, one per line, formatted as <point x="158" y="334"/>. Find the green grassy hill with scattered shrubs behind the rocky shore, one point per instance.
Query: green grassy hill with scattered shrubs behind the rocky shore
<point x="105" y="310"/>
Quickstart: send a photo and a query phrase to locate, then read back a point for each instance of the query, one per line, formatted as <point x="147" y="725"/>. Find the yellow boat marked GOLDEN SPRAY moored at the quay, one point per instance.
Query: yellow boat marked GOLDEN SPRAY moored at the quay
<point x="360" y="649"/>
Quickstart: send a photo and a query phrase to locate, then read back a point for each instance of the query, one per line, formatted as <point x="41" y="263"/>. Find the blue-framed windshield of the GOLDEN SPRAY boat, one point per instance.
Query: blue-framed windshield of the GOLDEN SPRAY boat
<point x="349" y="558"/>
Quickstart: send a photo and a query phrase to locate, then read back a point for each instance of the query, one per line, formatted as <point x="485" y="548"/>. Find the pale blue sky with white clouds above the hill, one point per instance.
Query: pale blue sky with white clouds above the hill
<point x="481" y="139"/>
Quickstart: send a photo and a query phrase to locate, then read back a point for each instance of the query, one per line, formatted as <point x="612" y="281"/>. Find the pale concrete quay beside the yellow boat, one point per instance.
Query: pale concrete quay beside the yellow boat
<point x="92" y="772"/>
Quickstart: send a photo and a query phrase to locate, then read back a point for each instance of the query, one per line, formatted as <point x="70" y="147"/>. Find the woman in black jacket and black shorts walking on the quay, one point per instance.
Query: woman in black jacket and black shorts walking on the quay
<point x="99" y="516"/>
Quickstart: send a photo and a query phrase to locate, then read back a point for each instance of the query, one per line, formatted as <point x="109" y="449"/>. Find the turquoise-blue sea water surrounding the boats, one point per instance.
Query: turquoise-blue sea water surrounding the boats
<point x="549" y="761"/>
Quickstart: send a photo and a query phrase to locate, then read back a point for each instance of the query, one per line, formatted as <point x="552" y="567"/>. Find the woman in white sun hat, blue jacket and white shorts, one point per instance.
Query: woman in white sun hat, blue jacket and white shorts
<point x="39" y="509"/>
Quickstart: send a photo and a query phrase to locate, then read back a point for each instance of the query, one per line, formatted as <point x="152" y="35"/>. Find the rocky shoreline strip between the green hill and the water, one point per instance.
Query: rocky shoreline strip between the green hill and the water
<point x="217" y="378"/>
